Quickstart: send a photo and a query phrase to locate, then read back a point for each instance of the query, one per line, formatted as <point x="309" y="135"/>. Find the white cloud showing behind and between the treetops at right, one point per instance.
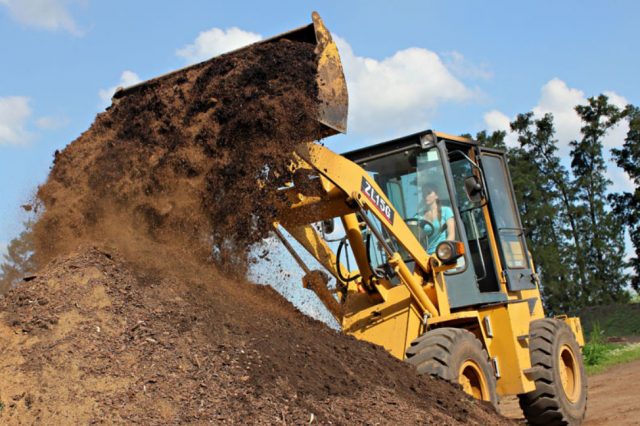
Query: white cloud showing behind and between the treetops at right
<point x="560" y="100"/>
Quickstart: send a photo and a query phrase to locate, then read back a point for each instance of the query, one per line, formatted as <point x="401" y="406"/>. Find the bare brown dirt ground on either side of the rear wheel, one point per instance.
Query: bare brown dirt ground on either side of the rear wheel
<point x="613" y="398"/>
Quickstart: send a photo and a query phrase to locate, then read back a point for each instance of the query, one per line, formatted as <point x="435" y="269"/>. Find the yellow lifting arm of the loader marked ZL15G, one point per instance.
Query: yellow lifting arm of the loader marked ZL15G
<point x="348" y="190"/>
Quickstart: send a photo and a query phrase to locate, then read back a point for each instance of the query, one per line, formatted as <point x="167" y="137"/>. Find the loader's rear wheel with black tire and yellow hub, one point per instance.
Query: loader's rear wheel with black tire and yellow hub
<point x="560" y="397"/>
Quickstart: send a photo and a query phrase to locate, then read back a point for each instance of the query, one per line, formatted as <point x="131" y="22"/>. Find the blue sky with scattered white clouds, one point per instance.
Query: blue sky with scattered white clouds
<point x="456" y="66"/>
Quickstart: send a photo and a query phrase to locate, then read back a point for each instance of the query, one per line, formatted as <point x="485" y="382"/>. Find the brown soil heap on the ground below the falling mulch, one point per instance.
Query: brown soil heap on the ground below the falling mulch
<point x="94" y="340"/>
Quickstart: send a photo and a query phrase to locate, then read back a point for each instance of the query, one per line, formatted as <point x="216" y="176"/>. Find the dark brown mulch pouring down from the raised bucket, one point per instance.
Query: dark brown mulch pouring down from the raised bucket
<point x="191" y="159"/>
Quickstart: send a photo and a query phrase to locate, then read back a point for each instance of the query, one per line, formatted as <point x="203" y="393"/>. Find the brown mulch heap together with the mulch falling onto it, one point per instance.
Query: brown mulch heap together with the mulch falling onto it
<point x="132" y="320"/>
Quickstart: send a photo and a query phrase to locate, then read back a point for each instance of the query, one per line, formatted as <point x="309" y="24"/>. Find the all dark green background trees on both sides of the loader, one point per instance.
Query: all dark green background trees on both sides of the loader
<point x="575" y="226"/>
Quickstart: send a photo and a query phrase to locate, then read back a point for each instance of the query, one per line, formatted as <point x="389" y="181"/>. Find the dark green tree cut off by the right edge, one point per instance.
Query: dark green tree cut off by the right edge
<point x="627" y="205"/>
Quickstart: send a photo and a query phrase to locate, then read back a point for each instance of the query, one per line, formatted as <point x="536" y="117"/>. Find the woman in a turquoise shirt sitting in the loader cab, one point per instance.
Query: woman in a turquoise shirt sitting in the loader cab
<point x="440" y="224"/>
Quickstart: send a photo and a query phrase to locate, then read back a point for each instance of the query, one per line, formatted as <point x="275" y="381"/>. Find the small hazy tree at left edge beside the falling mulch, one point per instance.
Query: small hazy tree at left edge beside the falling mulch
<point x="18" y="261"/>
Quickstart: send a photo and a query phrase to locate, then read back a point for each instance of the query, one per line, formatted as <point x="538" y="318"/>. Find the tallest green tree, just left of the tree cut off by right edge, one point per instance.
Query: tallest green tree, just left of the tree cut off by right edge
<point x="600" y="228"/>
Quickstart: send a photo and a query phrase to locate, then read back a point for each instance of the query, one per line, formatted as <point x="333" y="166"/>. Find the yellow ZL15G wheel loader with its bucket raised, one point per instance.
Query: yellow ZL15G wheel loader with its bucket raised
<point x="451" y="290"/>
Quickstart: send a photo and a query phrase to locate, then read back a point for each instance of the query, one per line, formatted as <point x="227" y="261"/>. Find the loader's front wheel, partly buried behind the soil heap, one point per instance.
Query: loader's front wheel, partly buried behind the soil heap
<point x="455" y="355"/>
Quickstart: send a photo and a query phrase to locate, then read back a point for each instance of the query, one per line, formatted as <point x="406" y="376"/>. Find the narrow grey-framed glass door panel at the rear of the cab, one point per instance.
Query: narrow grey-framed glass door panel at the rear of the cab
<point x="507" y="226"/>
